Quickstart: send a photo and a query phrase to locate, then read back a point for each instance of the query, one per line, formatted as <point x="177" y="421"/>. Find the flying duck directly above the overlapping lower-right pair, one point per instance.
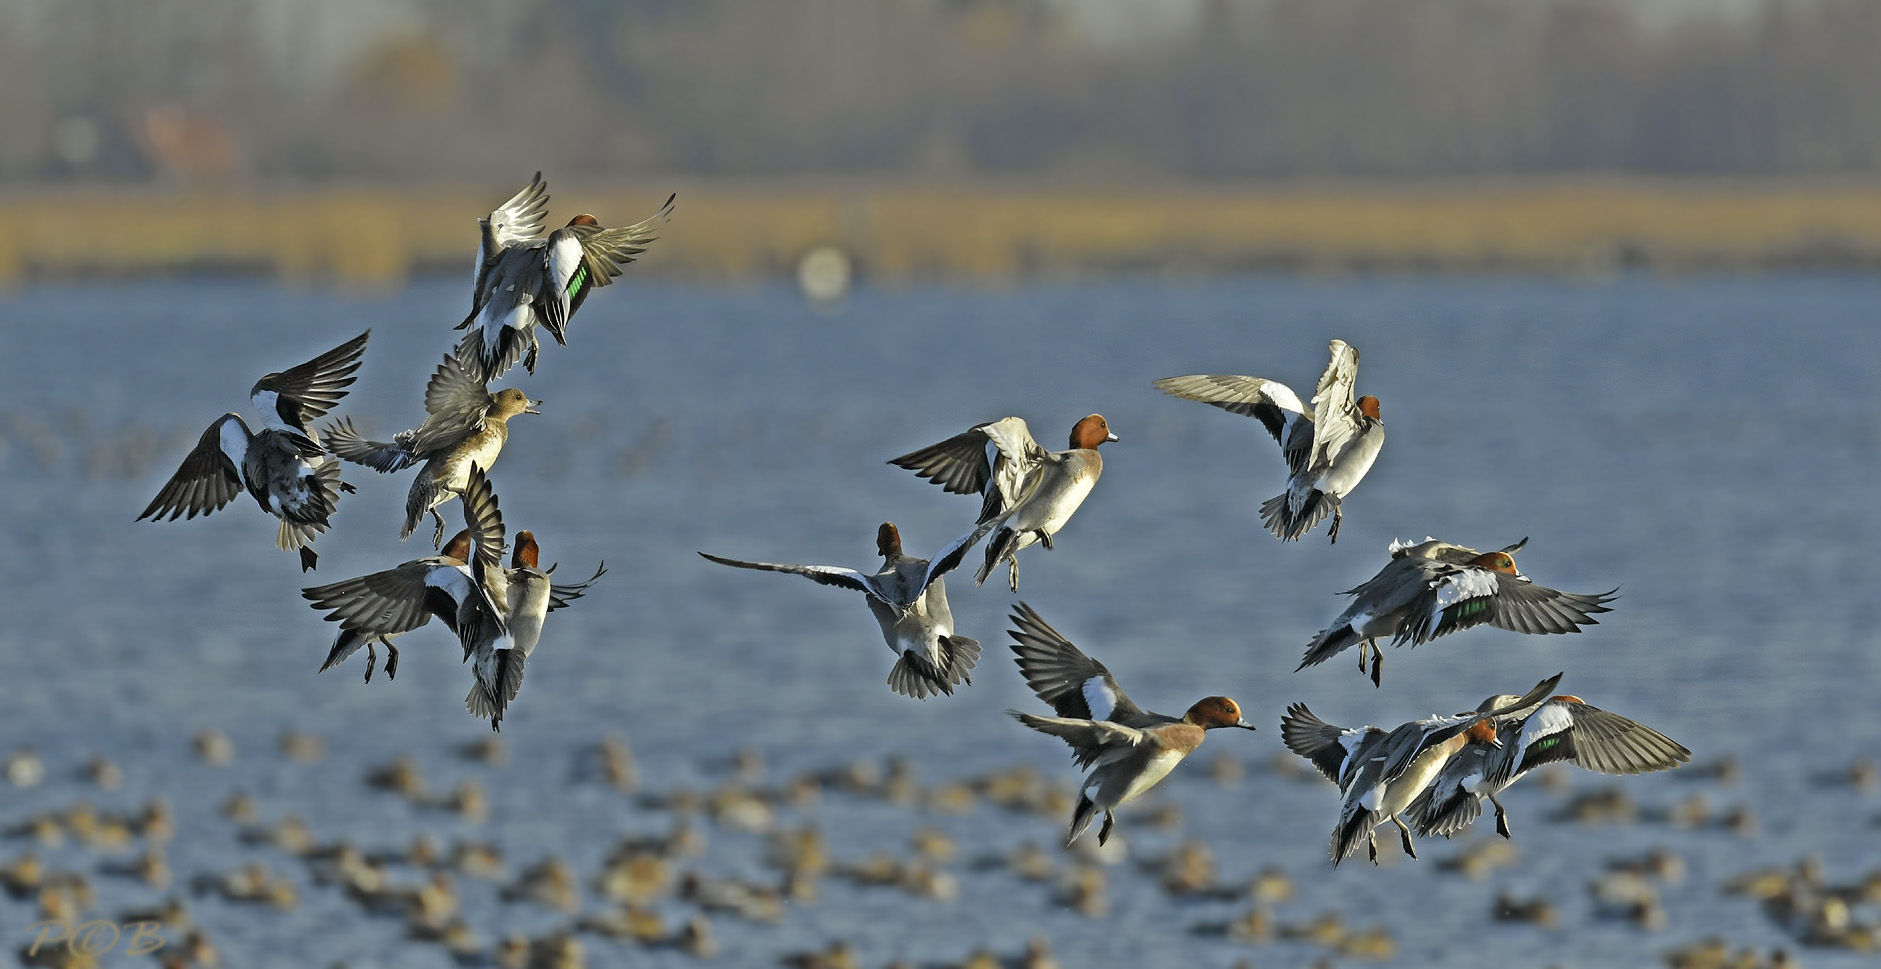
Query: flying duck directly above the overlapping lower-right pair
<point x="1436" y="588"/>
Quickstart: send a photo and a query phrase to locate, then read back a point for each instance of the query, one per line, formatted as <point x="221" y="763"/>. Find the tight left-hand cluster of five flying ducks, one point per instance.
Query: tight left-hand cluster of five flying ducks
<point x="526" y="281"/>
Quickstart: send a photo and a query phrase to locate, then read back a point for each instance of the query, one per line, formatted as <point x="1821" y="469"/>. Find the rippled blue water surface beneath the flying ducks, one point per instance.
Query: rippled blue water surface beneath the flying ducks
<point x="1709" y="447"/>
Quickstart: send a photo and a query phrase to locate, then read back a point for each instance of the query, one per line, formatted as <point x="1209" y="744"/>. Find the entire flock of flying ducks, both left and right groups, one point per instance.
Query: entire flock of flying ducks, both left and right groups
<point x="1431" y="772"/>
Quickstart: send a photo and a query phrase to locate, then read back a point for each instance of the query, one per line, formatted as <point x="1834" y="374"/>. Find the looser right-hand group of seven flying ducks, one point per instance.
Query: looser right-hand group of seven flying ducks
<point x="1432" y="774"/>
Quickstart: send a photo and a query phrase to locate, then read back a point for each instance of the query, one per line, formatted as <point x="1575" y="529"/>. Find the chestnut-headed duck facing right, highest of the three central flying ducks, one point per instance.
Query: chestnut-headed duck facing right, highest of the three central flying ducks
<point x="1028" y="492"/>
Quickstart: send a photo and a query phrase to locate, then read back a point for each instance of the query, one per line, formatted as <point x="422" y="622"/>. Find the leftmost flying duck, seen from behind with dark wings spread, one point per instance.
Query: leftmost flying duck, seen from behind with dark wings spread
<point x="283" y="468"/>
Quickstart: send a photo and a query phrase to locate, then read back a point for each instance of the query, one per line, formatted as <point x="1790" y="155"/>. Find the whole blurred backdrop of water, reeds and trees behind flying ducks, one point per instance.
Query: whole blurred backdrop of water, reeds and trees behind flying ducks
<point x="1609" y="266"/>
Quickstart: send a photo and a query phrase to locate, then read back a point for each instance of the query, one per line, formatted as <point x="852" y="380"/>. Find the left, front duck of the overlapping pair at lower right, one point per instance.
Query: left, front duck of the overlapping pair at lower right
<point x="1382" y="772"/>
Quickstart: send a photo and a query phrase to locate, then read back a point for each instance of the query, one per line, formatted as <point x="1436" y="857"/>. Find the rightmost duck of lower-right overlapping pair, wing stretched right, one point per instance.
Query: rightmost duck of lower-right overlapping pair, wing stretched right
<point x="1566" y="729"/>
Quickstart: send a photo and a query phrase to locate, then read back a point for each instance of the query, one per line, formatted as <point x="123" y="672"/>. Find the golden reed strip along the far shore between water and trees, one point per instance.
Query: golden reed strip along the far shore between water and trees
<point x="377" y="236"/>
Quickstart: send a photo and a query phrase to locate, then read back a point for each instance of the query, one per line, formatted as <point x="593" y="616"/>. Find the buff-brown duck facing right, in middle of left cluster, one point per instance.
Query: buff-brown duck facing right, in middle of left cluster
<point x="466" y="426"/>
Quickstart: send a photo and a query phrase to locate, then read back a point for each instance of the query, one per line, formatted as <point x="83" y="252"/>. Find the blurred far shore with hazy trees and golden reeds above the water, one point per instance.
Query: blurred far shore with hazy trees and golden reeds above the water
<point x="966" y="138"/>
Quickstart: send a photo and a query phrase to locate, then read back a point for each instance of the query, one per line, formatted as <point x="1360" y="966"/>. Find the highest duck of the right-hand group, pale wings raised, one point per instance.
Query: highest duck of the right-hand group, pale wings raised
<point x="1329" y="449"/>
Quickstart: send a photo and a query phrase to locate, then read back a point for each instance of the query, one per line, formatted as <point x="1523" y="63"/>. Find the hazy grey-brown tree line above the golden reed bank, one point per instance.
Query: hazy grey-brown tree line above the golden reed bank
<point x="200" y="91"/>
